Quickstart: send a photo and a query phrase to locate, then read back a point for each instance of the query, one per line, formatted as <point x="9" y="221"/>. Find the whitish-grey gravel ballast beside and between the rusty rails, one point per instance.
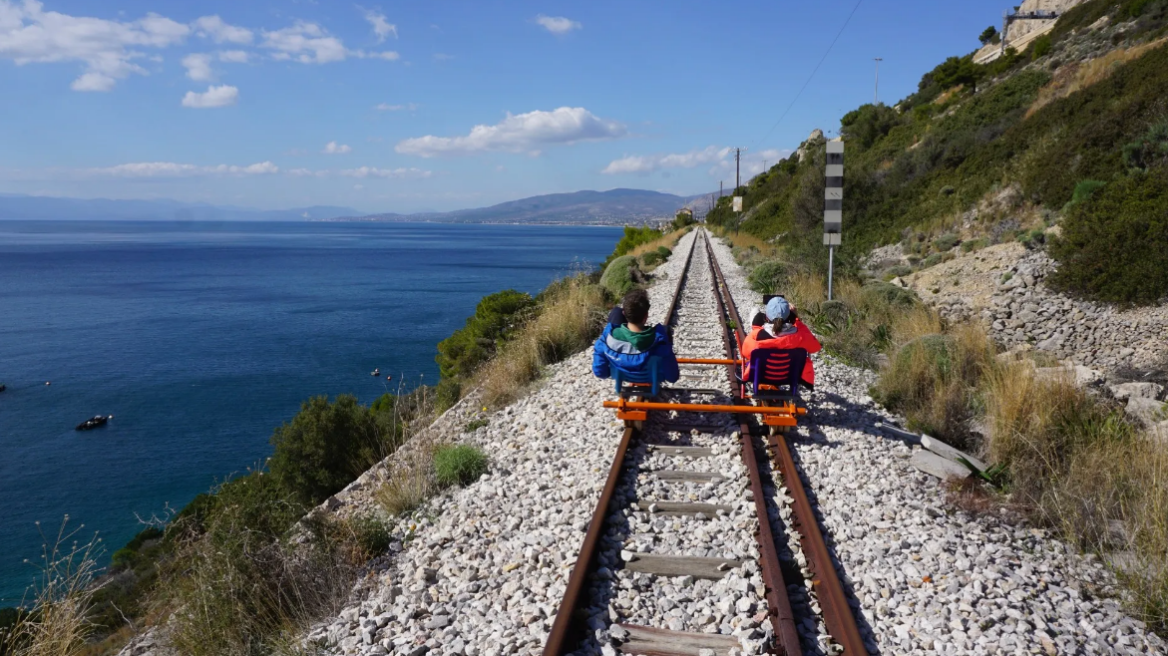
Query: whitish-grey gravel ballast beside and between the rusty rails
<point x="481" y="570"/>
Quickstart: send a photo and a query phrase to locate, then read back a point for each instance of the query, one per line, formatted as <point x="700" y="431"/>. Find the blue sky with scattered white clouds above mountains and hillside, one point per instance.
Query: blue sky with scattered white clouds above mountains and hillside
<point x="441" y="104"/>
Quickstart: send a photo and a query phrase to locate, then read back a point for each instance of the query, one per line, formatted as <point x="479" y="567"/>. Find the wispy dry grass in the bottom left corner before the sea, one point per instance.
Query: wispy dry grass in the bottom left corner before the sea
<point x="58" y="623"/>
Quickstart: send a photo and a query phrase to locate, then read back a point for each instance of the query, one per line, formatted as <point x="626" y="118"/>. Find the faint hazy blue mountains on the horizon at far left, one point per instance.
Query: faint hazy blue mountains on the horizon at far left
<point x="64" y="210"/>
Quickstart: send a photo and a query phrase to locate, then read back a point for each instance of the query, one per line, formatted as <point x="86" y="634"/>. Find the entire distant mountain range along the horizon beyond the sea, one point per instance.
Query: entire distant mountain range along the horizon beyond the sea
<point x="616" y="207"/>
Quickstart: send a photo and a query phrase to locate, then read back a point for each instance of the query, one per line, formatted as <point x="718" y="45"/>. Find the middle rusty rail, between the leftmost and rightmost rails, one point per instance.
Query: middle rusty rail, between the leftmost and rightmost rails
<point x="783" y="619"/>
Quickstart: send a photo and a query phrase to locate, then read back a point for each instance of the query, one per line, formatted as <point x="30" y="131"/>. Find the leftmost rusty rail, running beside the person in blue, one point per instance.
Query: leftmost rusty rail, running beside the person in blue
<point x="566" y="630"/>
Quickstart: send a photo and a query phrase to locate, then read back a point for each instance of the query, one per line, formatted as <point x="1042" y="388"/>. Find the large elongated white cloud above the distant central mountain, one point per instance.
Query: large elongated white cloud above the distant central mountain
<point x="520" y="134"/>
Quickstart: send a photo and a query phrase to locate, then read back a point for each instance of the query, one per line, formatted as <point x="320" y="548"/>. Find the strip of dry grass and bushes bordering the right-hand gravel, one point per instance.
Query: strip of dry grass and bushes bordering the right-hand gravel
<point x="1062" y="456"/>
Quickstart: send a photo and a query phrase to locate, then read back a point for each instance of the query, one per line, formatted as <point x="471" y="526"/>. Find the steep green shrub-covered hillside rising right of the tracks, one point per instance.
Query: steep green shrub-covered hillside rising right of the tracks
<point x="991" y="153"/>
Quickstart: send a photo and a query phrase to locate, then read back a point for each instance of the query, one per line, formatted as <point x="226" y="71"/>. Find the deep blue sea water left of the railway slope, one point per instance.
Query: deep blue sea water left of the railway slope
<point x="203" y="338"/>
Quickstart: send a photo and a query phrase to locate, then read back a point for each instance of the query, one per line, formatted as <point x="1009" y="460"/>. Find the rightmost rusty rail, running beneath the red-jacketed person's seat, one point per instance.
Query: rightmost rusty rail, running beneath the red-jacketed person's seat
<point x="838" y="616"/>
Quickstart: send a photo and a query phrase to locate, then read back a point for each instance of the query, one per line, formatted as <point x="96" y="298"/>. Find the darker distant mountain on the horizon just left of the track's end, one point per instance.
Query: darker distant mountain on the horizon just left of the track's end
<point x="614" y="207"/>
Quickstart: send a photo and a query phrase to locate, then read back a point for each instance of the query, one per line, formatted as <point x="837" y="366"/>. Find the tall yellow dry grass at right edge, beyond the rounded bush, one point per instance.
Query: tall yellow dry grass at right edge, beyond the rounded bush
<point x="1083" y="469"/>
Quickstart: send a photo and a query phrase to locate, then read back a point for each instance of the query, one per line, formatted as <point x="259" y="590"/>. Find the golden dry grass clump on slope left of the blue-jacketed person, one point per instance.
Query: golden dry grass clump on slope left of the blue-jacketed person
<point x="566" y="325"/>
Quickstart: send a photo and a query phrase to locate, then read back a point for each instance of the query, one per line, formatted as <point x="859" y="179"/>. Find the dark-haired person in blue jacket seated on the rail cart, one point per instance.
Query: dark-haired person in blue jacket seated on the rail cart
<point x="629" y="346"/>
